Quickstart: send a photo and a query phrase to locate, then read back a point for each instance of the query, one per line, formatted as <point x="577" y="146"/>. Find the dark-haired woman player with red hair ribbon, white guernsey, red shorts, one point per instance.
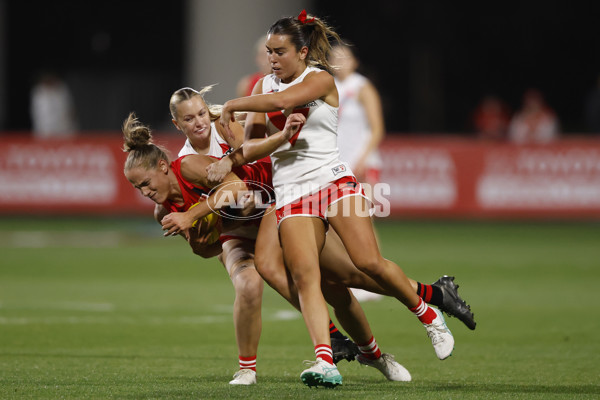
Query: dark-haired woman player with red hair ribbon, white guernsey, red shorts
<point x="313" y="187"/>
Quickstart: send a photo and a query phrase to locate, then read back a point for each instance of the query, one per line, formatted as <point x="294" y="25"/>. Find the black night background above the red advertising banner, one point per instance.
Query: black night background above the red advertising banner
<point x="431" y="60"/>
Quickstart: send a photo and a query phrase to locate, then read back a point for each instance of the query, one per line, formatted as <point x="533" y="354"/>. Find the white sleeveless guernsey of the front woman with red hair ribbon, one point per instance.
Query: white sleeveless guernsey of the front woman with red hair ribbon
<point x="310" y="159"/>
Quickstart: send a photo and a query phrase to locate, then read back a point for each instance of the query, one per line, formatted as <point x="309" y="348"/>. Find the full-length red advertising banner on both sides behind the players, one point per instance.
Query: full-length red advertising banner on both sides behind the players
<point x="428" y="177"/>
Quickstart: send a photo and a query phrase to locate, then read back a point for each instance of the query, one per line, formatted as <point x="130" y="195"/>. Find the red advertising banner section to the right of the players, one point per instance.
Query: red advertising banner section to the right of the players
<point x="432" y="177"/>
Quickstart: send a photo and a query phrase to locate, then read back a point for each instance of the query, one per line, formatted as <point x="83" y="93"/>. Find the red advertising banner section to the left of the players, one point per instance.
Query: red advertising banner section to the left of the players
<point x="76" y="176"/>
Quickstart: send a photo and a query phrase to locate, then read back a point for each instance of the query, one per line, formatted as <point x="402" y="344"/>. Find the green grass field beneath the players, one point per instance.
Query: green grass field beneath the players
<point x="110" y="309"/>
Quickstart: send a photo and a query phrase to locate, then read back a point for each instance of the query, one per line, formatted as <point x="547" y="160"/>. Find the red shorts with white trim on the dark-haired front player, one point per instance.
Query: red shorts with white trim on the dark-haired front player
<point x="316" y="204"/>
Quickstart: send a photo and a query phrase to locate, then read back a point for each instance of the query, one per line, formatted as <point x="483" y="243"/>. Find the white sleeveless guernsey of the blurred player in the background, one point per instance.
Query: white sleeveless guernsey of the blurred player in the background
<point x="354" y="131"/>
